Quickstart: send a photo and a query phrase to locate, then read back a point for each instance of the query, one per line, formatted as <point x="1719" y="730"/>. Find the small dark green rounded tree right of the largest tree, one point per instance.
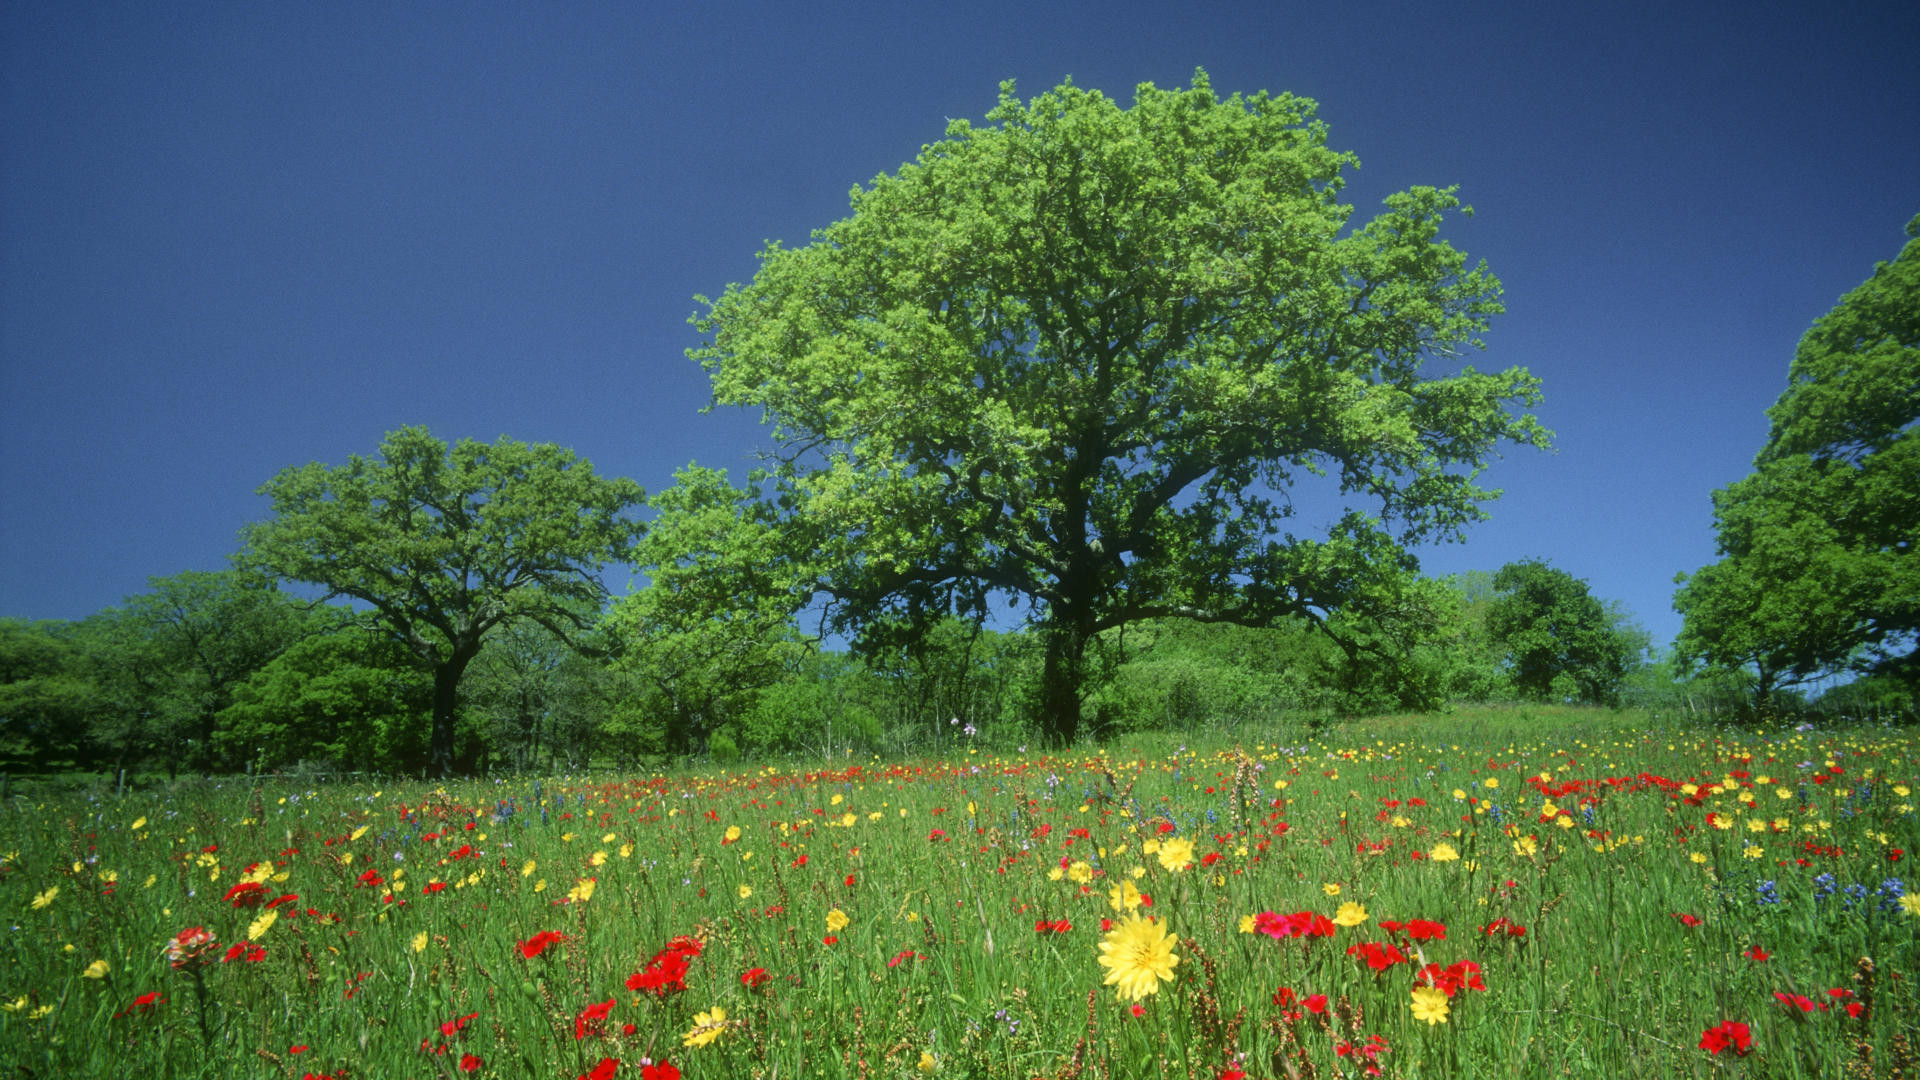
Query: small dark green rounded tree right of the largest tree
<point x="1562" y="643"/>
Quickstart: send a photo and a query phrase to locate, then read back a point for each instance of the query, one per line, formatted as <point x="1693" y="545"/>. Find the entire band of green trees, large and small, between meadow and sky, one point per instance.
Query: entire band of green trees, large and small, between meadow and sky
<point x="1088" y="418"/>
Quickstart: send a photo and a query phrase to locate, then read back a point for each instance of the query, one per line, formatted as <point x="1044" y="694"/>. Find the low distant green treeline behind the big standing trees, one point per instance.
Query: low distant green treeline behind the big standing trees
<point x="224" y="672"/>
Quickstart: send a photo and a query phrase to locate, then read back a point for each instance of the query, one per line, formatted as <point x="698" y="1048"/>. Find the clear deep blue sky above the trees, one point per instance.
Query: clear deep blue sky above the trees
<point x="239" y="237"/>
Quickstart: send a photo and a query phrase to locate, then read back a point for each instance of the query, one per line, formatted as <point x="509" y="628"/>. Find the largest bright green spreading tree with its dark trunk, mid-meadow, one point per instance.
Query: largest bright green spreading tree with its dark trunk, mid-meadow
<point x="1082" y="356"/>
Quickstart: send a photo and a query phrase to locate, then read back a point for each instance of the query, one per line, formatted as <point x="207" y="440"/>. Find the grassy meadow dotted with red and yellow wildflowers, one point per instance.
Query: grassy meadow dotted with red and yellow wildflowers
<point x="1548" y="895"/>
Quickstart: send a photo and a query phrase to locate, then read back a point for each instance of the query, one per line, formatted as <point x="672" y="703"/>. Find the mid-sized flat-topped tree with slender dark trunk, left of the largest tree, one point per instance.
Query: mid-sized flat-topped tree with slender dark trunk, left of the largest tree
<point x="444" y="545"/>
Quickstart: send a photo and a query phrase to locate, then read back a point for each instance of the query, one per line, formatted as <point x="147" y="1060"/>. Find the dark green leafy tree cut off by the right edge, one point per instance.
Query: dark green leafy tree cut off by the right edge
<point x="1817" y="568"/>
